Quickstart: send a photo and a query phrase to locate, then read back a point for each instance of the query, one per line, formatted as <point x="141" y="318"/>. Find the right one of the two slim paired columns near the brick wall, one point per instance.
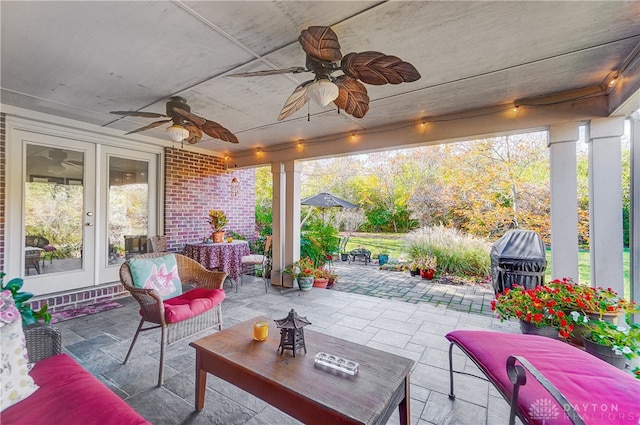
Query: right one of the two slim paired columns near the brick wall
<point x="292" y="213"/>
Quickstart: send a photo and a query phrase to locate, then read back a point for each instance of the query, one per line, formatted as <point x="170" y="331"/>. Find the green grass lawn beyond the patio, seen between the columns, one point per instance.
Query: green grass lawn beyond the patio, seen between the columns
<point x="394" y="243"/>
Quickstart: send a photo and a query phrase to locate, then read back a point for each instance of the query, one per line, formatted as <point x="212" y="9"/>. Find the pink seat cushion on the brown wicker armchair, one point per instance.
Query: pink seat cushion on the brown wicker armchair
<point x="192" y="303"/>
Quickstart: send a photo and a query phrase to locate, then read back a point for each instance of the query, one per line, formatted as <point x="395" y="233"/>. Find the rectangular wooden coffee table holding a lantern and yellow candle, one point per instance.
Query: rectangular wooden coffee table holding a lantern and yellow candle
<point x="297" y="386"/>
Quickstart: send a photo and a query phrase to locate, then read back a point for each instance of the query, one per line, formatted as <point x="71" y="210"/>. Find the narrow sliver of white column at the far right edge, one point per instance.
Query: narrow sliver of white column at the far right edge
<point x="634" y="211"/>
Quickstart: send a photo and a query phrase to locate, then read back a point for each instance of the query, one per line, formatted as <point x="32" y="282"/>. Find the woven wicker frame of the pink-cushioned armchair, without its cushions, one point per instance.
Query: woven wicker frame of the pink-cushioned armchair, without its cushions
<point x="152" y="307"/>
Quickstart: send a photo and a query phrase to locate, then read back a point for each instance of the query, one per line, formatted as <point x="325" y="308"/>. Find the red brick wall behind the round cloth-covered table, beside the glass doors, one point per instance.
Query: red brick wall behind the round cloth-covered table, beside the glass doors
<point x="196" y="183"/>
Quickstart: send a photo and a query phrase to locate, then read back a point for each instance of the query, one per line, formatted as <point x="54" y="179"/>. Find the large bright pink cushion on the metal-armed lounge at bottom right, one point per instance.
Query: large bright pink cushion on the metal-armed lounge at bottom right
<point x="599" y="392"/>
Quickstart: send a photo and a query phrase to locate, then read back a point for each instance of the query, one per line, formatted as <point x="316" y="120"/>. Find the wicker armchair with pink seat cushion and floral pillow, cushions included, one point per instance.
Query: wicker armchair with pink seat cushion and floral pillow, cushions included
<point x="179" y="316"/>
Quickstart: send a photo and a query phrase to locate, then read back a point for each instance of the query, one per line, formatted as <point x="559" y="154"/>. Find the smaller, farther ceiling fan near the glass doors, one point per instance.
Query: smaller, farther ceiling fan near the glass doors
<point x="186" y="126"/>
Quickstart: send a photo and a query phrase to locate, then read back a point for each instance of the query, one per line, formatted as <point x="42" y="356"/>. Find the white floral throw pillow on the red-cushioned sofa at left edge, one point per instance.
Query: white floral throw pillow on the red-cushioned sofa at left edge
<point x="15" y="382"/>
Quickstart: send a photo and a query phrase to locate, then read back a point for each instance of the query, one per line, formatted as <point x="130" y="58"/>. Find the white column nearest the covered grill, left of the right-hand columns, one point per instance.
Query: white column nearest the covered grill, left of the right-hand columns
<point x="564" y="200"/>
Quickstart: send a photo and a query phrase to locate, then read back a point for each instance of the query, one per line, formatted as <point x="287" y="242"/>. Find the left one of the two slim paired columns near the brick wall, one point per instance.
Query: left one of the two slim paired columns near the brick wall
<point x="277" y="224"/>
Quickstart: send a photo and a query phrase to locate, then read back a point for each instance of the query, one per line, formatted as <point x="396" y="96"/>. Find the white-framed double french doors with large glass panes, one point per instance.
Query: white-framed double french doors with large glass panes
<point x="78" y="205"/>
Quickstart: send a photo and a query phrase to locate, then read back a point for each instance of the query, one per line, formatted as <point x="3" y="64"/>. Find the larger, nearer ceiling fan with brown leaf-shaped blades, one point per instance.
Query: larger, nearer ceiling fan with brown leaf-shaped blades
<point x="324" y="58"/>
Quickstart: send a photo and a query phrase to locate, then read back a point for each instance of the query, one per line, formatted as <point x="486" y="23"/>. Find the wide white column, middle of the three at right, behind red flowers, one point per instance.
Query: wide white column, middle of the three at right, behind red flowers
<point x="605" y="202"/>
